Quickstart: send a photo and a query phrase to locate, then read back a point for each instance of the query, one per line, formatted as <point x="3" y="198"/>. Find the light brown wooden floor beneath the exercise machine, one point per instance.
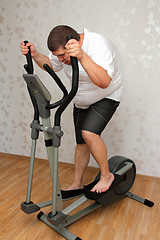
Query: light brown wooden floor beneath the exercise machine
<point x="124" y="220"/>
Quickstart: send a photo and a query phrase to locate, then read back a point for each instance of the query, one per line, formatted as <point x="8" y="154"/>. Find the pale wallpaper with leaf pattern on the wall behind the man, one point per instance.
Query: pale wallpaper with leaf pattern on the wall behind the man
<point x="134" y="29"/>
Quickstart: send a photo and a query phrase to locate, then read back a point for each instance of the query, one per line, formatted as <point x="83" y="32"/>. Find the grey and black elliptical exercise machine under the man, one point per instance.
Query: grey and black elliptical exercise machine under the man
<point x="123" y="168"/>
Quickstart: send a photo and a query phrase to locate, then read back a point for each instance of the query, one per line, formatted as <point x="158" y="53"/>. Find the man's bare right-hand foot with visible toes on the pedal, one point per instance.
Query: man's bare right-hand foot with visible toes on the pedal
<point x="104" y="183"/>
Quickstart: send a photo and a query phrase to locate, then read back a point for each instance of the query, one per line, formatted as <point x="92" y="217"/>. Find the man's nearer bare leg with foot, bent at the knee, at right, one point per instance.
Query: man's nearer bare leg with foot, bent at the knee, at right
<point x="99" y="152"/>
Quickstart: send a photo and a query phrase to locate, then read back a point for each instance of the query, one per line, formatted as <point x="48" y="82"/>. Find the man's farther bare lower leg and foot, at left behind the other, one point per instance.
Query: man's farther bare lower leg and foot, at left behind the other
<point x="82" y="156"/>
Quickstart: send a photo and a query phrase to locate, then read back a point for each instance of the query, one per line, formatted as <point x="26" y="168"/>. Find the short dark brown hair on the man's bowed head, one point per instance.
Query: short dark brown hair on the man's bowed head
<point x="57" y="37"/>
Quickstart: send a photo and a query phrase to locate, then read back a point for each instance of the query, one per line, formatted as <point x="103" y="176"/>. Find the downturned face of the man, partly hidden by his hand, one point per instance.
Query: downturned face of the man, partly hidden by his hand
<point x="62" y="55"/>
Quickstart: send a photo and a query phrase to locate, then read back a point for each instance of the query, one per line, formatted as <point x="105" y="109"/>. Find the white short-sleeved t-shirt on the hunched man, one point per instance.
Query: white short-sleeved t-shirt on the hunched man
<point x="101" y="52"/>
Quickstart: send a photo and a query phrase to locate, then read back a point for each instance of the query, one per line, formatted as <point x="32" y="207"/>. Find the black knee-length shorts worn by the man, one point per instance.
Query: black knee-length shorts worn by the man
<point x="93" y="119"/>
